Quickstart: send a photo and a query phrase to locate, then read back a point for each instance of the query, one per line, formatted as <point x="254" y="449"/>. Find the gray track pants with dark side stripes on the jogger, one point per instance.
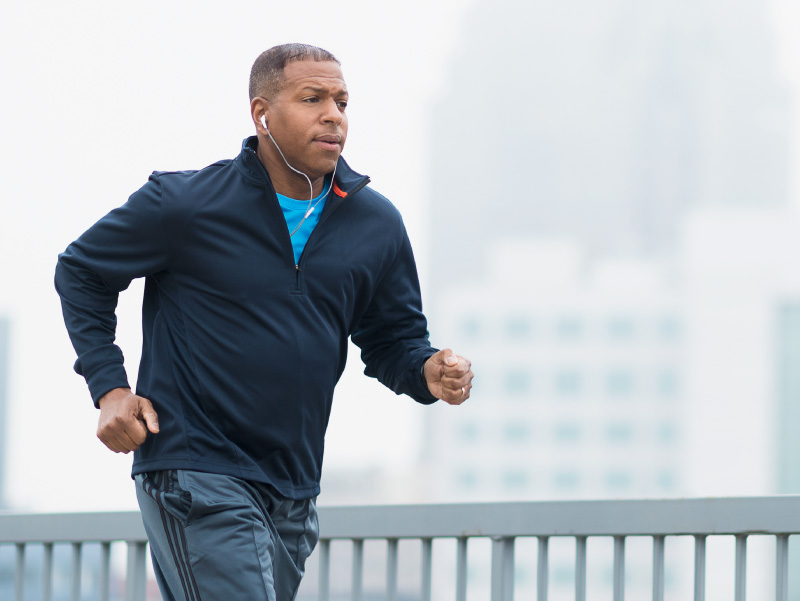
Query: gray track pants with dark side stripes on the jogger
<point x="219" y="538"/>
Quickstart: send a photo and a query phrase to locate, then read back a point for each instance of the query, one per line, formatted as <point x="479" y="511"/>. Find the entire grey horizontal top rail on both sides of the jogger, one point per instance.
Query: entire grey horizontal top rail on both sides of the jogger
<point x="710" y="516"/>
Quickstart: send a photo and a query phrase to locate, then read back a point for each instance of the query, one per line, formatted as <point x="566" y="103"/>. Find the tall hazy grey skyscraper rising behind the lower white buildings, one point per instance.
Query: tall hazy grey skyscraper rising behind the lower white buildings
<point x="602" y="122"/>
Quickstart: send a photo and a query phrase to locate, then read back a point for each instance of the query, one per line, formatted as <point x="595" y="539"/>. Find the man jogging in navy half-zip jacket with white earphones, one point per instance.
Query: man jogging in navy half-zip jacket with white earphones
<point x="257" y="269"/>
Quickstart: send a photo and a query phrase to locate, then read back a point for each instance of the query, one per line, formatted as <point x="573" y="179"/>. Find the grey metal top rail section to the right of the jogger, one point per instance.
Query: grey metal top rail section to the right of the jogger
<point x="749" y="515"/>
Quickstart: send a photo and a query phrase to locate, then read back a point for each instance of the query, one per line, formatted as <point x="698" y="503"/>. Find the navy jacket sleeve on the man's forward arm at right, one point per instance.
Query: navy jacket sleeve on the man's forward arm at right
<point x="393" y="332"/>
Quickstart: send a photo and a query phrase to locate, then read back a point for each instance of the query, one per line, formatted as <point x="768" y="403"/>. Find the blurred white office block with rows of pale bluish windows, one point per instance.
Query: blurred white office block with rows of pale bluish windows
<point x="580" y="391"/>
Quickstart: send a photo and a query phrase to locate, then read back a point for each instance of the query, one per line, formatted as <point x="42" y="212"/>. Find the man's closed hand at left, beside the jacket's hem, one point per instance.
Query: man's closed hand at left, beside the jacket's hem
<point x="124" y="420"/>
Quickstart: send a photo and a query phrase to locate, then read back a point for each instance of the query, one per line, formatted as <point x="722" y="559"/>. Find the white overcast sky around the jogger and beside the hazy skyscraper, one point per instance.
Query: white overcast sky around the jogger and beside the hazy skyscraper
<point x="97" y="94"/>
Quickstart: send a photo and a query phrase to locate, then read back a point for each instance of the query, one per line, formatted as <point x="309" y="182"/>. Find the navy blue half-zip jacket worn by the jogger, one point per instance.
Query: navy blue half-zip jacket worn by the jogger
<point x="241" y="347"/>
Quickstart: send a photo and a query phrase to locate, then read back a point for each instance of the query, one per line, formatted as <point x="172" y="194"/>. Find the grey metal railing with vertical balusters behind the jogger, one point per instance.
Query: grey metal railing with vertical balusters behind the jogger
<point x="503" y="523"/>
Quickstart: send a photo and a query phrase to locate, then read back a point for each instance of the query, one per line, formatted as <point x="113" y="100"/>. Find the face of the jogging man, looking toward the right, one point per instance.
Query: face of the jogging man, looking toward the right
<point x="307" y="118"/>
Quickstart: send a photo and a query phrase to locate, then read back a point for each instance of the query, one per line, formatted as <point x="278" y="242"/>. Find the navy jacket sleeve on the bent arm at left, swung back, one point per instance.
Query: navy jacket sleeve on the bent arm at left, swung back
<point x="127" y="243"/>
